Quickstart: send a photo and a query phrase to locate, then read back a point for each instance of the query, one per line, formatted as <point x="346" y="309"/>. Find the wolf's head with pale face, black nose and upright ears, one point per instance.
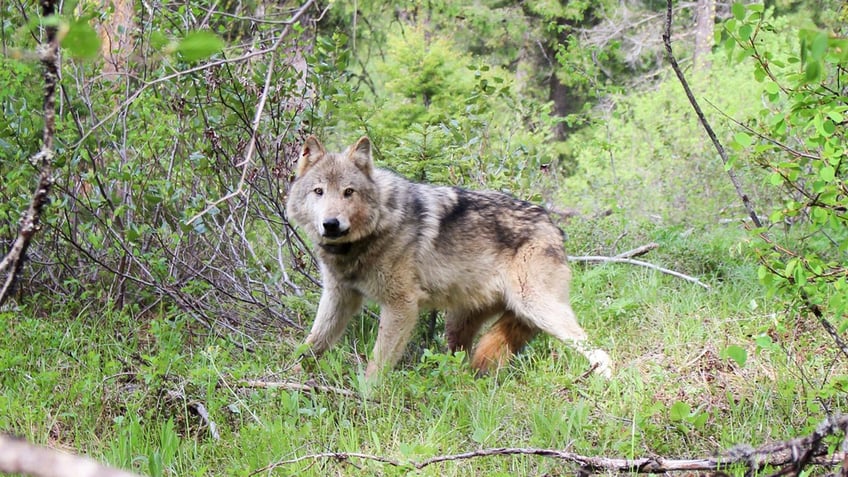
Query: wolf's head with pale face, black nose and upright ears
<point x="334" y="197"/>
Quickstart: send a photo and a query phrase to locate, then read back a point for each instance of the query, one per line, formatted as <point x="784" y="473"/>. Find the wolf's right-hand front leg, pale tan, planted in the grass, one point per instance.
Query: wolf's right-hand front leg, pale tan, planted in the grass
<point x="396" y="324"/>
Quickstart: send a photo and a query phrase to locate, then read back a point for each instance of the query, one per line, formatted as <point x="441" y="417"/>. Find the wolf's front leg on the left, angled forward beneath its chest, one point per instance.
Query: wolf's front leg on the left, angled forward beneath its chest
<point x="337" y="306"/>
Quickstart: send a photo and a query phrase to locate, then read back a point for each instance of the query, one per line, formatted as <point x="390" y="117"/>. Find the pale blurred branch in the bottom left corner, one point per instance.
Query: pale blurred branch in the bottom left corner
<point x="20" y="457"/>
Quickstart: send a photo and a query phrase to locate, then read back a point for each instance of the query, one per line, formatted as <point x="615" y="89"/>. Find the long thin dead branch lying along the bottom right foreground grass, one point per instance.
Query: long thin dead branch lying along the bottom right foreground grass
<point x="793" y="454"/>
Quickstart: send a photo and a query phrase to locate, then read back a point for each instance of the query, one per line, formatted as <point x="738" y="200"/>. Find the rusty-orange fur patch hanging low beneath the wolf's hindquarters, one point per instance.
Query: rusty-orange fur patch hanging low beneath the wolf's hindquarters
<point x="505" y="338"/>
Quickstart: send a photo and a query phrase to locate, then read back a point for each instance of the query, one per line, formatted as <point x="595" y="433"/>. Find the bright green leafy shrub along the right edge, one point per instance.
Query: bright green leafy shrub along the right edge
<point x="799" y="137"/>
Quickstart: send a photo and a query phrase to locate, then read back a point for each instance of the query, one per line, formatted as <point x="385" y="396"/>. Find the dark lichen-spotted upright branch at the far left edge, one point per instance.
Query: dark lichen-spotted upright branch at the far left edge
<point x="31" y="222"/>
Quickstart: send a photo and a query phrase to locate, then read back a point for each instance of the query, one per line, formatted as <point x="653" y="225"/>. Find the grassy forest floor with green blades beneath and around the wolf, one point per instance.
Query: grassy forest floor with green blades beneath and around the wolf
<point x="690" y="381"/>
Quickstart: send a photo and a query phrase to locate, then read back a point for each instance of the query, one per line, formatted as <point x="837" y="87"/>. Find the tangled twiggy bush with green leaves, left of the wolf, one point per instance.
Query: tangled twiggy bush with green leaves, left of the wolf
<point x="160" y="196"/>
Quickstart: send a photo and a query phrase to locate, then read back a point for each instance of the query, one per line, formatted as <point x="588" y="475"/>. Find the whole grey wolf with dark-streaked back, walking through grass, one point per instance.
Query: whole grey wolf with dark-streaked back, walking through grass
<point x="478" y="256"/>
